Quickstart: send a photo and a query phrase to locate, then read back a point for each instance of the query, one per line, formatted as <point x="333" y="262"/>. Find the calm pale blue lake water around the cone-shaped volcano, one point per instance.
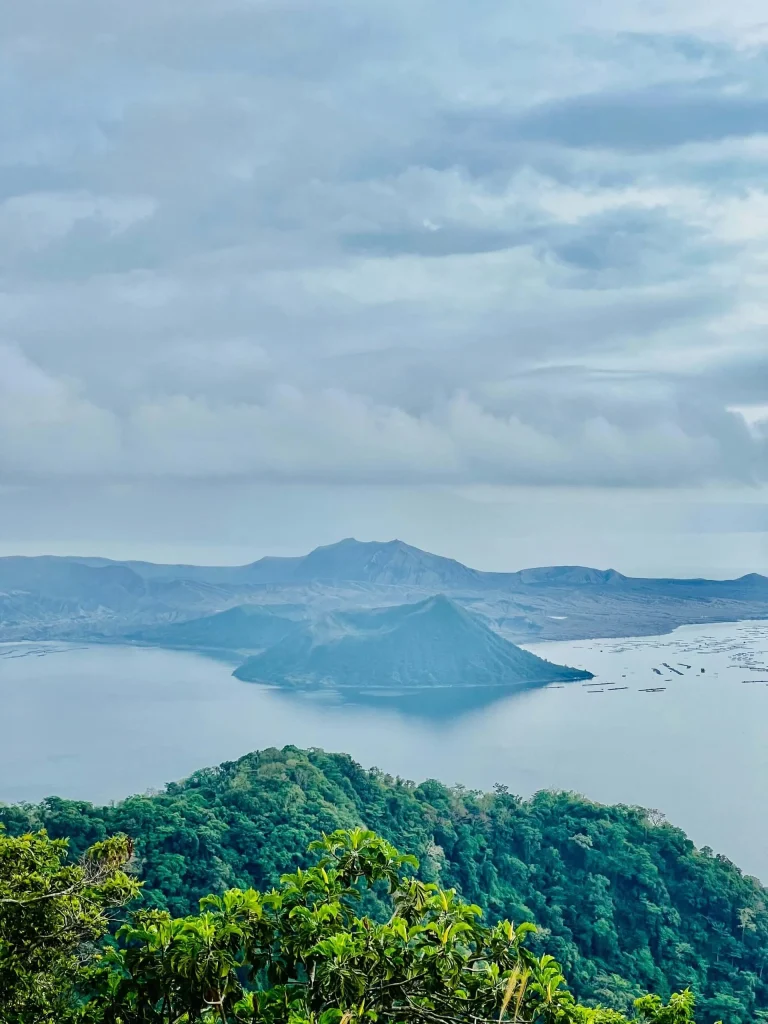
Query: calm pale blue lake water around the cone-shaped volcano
<point x="100" y="723"/>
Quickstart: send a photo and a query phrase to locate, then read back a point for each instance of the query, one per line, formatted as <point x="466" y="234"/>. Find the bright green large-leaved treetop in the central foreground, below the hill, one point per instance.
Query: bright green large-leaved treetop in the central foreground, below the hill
<point x="302" y="955"/>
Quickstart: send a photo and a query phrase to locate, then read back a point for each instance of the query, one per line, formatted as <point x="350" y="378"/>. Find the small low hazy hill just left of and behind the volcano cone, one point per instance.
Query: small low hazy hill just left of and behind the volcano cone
<point x="243" y="628"/>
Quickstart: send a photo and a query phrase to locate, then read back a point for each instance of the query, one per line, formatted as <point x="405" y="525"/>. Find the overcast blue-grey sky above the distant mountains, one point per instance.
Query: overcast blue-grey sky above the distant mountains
<point x="490" y="278"/>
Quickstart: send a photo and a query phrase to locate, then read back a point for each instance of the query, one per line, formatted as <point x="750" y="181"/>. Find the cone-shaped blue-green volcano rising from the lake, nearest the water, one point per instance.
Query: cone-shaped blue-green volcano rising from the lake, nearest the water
<point x="431" y="645"/>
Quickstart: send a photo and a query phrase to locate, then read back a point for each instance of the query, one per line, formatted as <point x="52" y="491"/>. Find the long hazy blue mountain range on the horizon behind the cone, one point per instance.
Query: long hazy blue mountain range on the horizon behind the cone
<point x="99" y="600"/>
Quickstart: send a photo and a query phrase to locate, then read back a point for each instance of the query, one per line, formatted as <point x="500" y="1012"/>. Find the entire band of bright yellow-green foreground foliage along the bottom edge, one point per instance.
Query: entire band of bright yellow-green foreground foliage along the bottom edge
<point x="298" y="954"/>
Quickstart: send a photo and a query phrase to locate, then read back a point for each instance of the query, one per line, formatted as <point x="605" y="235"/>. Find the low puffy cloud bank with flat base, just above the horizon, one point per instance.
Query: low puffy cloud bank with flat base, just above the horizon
<point x="538" y="437"/>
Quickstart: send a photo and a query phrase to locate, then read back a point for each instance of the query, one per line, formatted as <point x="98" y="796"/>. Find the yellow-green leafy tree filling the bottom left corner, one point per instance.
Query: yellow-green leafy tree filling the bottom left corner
<point x="52" y="913"/>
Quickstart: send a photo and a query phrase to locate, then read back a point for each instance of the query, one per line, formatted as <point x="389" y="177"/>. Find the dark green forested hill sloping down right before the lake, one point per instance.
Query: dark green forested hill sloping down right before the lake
<point x="623" y="900"/>
